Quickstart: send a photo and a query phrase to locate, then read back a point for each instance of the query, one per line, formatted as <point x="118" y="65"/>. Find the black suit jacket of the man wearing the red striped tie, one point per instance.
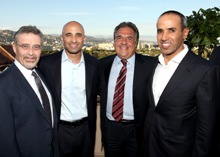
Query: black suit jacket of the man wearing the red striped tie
<point x="142" y="71"/>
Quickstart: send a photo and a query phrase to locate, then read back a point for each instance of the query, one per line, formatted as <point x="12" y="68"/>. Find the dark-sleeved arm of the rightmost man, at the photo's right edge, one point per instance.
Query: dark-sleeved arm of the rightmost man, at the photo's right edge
<point x="208" y="108"/>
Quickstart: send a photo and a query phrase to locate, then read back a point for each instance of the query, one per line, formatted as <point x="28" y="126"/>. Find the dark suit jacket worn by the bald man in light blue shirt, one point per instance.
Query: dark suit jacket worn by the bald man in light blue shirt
<point x="50" y="66"/>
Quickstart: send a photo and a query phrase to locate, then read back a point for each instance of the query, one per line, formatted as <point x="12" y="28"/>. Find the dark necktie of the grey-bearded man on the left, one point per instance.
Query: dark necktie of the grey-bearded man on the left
<point x="43" y="94"/>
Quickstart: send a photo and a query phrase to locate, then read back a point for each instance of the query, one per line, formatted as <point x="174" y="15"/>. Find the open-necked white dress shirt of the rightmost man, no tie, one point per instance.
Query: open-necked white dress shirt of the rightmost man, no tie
<point x="164" y="72"/>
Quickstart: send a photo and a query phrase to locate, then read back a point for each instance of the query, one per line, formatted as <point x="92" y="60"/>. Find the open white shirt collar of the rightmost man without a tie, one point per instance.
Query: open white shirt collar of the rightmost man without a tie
<point x="178" y="58"/>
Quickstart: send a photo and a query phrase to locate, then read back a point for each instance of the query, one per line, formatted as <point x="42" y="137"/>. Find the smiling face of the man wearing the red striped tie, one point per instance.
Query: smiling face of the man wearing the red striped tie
<point x="125" y="42"/>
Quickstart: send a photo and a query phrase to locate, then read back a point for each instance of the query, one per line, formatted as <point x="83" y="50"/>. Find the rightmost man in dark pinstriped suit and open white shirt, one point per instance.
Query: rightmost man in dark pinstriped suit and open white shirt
<point x="183" y="118"/>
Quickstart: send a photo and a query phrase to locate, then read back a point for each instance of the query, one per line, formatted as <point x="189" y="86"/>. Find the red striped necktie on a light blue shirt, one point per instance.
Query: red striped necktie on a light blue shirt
<point x="118" y="100"/>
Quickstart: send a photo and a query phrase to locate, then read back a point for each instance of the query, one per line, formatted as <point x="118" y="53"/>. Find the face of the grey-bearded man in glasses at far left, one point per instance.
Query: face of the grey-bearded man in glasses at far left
<point x="27" y="49"/>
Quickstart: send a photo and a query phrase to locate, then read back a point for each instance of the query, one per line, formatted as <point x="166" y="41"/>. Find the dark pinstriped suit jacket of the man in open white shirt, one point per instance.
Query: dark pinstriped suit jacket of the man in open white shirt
<point x="185" y="122"/>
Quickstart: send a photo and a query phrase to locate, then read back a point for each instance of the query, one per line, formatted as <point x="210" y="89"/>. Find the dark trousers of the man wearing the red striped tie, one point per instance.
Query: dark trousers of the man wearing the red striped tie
<point x="120" y="140"/>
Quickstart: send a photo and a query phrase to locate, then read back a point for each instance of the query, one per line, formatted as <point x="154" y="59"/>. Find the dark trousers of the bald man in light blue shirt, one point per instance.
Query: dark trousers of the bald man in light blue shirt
<point x="74" y="141"/>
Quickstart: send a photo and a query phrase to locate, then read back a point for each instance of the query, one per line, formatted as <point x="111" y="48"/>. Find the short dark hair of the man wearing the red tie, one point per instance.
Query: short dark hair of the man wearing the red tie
<point x="130" y="25"/>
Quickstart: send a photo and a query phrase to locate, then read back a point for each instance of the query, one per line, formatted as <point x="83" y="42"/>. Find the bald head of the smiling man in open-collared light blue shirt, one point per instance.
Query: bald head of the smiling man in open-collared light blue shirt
<point x="73" y="37"/>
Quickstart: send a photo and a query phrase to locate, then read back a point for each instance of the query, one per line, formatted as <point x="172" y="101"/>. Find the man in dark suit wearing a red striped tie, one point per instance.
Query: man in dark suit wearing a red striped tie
<point x="122" y="132"/>
